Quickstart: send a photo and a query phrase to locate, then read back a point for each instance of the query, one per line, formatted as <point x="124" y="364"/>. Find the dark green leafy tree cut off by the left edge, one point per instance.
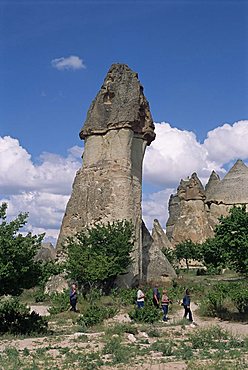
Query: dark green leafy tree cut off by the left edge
<point x="18" y="270"/>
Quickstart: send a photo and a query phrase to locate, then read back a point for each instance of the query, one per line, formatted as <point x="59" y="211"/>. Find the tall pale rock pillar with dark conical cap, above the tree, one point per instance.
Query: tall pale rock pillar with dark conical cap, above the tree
<point x="108" y="186"/>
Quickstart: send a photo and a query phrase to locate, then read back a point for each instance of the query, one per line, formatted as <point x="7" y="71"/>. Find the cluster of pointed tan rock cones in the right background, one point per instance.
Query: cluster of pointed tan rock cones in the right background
<point x="194" y="211"/>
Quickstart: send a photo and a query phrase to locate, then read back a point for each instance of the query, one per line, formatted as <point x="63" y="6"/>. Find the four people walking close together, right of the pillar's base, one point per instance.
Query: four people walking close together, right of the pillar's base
<point x="165" y="301"/>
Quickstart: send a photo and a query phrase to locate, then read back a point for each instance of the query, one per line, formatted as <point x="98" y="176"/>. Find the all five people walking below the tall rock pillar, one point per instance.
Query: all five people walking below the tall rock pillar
<point x="165" y="301"/>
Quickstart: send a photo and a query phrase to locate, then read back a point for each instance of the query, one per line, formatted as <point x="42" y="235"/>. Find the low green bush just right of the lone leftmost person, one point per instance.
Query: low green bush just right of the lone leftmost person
<point x="95" y="315"/>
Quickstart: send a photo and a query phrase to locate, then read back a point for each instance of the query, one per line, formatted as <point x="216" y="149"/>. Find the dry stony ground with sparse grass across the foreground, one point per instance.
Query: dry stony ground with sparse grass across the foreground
<point x="120" y="344"/>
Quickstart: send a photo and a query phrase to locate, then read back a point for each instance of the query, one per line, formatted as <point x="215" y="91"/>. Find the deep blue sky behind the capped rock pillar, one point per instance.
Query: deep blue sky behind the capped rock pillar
<point x="191" y="57"/>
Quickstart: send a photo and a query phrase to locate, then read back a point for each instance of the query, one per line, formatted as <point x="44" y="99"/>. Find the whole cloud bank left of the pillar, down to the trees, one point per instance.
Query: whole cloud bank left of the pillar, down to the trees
<point x="41" y="189"/>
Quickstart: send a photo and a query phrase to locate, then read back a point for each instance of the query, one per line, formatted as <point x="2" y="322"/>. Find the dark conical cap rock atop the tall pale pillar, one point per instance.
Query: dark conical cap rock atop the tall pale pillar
<point x="120" y="103"/>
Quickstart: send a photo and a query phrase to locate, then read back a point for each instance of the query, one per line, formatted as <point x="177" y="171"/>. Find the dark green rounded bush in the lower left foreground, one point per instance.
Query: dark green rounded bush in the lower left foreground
<point x="15" y="318"/>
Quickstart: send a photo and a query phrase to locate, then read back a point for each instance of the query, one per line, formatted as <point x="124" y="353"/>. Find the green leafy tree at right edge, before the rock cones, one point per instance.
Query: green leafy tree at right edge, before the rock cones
<point x="229" y="247"/>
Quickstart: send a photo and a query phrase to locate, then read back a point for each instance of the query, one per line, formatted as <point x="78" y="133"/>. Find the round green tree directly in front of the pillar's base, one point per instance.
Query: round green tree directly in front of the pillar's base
<point x="97" y="255"/>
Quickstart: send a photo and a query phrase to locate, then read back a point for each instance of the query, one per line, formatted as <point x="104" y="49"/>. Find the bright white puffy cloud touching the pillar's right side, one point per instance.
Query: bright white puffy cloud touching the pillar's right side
<point x="175" y="154"/>
